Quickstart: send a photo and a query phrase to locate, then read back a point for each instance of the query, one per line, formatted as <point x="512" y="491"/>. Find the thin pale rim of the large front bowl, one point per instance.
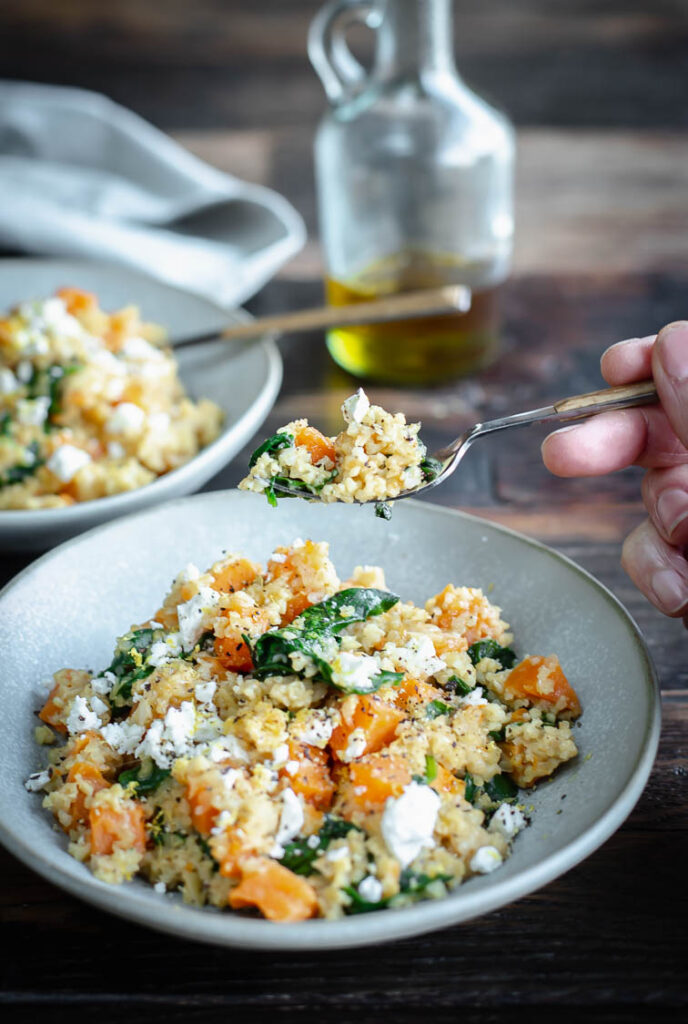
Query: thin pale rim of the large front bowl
<point x="207" y="925"/>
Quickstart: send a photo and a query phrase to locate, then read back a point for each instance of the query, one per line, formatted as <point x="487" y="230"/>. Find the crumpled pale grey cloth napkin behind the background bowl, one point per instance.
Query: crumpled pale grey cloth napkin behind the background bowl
<point x="82" y="177"/>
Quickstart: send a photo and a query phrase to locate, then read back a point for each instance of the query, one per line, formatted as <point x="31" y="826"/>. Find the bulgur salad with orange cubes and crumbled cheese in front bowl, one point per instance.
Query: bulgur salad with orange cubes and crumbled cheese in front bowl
<point x="283" y="741"/>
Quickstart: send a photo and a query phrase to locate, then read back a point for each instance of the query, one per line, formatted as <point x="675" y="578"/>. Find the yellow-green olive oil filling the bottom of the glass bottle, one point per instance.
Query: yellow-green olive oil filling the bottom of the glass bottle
<point x="423" y="351"/>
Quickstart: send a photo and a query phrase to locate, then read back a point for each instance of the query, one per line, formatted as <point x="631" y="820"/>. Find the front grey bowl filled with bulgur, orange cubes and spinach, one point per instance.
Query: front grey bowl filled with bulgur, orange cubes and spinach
<point x="289" y="743"/>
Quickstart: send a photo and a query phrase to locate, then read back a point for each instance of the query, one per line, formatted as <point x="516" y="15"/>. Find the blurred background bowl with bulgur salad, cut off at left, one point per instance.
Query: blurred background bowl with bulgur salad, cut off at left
<point x="98" y="414"/>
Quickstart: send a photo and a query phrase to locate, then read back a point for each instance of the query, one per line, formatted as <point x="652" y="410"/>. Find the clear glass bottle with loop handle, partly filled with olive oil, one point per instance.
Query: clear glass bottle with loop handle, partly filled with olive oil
<point x="415" y="189"/>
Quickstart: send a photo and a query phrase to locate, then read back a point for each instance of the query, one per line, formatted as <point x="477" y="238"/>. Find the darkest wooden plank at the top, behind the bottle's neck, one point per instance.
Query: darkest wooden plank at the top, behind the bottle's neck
<point x="210" y="64"/>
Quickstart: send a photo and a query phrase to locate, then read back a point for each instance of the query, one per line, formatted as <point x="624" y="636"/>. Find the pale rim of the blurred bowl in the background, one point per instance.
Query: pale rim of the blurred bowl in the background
<point x="28" y="521"/>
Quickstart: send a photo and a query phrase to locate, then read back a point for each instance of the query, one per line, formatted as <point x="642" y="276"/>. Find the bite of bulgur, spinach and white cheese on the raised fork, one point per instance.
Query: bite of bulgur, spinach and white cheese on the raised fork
<point x="376" y="457"/>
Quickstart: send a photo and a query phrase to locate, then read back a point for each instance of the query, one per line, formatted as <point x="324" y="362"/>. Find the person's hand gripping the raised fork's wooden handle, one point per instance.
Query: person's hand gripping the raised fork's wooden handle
<point x="655" y="438"/>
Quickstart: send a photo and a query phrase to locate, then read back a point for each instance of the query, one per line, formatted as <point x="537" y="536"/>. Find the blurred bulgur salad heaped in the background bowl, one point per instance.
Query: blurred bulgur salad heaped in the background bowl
<point x="91" y="404"/>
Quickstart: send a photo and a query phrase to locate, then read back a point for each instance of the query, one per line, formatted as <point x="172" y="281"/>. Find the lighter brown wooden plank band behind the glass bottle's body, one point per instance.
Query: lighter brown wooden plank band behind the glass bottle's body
<point x="587" y="202"/>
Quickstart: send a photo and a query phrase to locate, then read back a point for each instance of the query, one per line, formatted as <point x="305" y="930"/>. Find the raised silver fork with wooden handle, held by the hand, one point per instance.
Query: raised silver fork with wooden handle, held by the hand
<point x="442" y="464"/>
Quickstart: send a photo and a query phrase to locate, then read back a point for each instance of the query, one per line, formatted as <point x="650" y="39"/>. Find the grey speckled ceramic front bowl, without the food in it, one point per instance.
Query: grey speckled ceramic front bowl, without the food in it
<point x="67" y="609"/>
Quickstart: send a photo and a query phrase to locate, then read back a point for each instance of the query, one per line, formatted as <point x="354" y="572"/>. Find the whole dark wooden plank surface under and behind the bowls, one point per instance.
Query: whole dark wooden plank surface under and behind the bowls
<point x="603" y="254"/>
